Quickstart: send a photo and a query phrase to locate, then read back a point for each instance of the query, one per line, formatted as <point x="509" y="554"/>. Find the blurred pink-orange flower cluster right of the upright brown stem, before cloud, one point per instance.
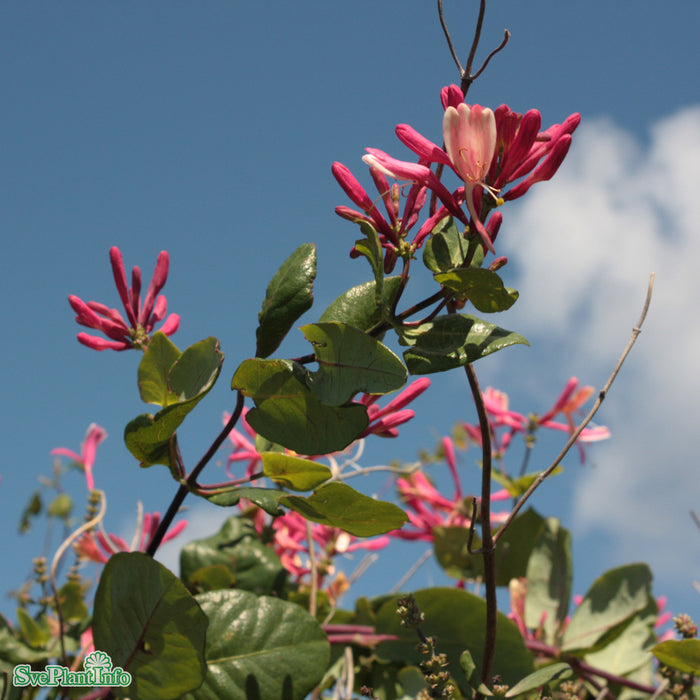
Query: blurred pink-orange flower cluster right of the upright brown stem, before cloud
<point x="506" y="424"/>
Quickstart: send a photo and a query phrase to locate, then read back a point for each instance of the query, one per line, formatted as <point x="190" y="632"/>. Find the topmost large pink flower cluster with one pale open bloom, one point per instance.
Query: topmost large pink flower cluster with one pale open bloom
<point x="487" y="149"/>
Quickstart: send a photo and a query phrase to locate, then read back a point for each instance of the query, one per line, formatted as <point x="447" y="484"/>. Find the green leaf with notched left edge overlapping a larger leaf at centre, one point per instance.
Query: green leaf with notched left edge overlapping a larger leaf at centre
<point x="350" y="361"/>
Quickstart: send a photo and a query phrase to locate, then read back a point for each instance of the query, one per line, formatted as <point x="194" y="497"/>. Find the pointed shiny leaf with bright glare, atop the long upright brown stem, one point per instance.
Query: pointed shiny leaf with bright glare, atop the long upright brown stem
<point x="453" y="341"/>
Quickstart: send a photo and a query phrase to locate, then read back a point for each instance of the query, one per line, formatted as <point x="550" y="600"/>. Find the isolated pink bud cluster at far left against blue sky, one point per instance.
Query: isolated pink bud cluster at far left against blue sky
<point x="140" y="318"/>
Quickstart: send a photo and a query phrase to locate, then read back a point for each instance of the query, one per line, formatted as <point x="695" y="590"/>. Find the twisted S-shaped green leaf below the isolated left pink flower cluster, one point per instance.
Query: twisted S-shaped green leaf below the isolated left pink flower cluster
<point x="189" y="380"/>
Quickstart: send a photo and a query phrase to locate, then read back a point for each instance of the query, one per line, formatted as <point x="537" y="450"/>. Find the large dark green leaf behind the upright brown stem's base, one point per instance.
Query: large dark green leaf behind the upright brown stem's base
<point x="456" y="619"/>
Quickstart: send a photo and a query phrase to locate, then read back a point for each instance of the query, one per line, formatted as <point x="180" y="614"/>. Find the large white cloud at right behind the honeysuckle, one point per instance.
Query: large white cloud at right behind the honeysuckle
<point x="584" y="245"/>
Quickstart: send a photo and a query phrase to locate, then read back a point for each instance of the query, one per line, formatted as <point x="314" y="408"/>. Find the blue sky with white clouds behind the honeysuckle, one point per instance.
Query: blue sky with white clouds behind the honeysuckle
<point x="208" y="129"/>
